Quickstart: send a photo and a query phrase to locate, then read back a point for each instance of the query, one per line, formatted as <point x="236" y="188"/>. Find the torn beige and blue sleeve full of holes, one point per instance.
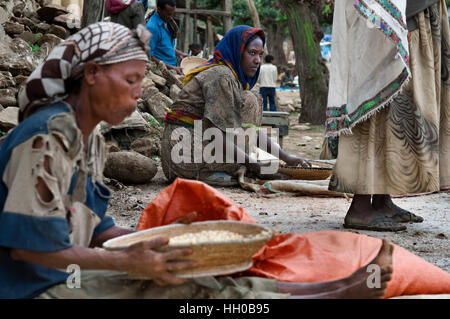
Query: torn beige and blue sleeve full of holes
<point x="28" y="221"/>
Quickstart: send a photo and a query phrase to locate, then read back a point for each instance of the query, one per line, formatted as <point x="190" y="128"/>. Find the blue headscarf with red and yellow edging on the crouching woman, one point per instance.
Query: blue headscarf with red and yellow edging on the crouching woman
<point x="229" y="52"/>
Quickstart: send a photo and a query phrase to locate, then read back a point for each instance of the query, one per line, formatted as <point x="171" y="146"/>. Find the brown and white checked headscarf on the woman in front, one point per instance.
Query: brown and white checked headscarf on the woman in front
<point x="102" y="42"/>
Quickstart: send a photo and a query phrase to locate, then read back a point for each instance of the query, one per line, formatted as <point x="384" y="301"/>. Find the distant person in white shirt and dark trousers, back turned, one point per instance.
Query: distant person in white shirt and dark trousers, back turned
<point x="268" y="82"/>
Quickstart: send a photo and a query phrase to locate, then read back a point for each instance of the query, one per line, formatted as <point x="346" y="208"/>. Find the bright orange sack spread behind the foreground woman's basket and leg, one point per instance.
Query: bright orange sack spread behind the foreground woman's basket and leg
<point x="308" y="257"/>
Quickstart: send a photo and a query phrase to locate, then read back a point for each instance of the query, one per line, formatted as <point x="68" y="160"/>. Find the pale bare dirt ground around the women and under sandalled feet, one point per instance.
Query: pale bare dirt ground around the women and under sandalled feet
<point x="429" y="239"/>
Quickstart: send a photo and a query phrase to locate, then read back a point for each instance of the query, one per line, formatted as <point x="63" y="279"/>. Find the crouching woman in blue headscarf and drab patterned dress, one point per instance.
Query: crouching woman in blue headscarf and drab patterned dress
<point x="216" y="95"/>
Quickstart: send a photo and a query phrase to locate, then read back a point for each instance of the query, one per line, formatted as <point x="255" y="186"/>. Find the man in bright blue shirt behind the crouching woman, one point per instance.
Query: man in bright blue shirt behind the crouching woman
<point x="164" y="32"/>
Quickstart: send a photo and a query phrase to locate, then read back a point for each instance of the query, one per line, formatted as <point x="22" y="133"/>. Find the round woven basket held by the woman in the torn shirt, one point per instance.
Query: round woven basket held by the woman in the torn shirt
<point x="213" y="258"/>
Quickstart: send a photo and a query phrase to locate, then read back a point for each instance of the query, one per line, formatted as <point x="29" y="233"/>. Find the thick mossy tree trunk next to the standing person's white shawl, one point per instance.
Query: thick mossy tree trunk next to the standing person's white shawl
<point x="313" y="74"/>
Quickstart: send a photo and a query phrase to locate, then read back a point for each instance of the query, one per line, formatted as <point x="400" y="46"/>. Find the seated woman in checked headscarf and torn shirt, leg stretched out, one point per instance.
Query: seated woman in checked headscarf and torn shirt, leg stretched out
<point x="53" y="201"/>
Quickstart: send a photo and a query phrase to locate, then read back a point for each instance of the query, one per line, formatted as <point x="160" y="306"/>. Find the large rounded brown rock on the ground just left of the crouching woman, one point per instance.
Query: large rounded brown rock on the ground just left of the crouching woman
<point x="129" y="167"/>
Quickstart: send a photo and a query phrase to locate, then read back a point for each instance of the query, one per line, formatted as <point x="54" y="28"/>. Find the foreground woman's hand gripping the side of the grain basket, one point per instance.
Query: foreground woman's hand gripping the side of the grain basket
<point x="142" y="259"/>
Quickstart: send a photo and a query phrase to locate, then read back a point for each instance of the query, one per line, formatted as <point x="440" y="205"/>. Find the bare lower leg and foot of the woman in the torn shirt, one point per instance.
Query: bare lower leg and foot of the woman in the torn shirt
<point x="367" y="282"/>
